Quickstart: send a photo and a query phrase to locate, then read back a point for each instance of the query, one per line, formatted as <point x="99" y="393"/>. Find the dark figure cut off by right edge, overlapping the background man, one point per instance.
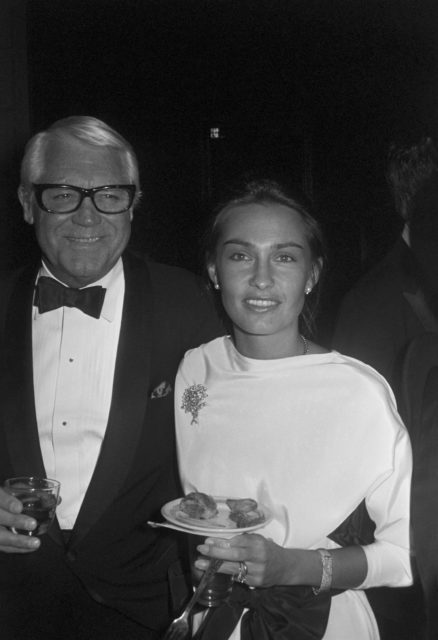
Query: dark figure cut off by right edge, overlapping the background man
<point x="418" y="396"/>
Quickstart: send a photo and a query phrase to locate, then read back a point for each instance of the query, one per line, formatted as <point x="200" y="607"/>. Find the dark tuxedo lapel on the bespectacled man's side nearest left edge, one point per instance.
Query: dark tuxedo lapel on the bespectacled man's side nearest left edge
<point x="18" y="397"/>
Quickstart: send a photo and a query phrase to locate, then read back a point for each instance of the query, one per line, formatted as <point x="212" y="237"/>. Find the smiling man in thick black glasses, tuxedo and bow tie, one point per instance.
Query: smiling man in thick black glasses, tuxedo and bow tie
<point x="90" y="340"/>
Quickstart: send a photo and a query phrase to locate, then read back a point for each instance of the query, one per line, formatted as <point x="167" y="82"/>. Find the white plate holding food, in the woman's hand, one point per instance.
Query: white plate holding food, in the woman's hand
<point x="217" y="525"/>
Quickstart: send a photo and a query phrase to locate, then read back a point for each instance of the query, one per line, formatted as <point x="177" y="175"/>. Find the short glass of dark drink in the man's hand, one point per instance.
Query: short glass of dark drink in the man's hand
<point x="39" y="497"/>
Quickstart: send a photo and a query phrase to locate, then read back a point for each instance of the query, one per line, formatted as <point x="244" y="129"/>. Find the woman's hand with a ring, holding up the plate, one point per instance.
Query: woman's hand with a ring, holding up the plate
<point x="265" y="560"/>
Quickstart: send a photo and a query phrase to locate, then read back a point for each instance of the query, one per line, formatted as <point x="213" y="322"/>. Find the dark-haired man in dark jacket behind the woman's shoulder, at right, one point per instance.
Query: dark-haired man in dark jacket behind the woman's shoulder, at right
<point x="384" y="311"/>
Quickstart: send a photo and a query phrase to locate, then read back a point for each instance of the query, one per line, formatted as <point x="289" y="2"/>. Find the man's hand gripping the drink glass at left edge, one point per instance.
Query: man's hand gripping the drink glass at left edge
<point x="10" y="516"/>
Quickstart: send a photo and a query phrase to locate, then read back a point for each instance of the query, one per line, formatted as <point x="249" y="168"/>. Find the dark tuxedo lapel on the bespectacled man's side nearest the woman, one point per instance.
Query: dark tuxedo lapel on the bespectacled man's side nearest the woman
<point x="129" y="399"/>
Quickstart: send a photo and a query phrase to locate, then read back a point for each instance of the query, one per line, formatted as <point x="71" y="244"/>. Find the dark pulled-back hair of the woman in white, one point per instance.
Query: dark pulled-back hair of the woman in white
<point x="266" y="191"/>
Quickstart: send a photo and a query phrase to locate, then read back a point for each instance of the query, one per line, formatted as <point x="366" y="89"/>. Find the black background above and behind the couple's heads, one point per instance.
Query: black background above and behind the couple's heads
<point x="314" y="89"/>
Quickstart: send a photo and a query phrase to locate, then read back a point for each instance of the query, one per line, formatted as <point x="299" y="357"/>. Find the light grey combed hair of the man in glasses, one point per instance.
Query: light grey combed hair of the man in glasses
<point x="84" y="128"/>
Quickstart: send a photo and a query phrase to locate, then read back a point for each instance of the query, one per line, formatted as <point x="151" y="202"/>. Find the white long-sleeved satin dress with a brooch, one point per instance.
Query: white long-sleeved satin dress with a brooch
<point x="309" y="436"/>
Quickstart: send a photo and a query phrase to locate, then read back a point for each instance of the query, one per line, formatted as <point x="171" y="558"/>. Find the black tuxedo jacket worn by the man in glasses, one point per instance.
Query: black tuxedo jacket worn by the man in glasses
<point x="121" y="561"/>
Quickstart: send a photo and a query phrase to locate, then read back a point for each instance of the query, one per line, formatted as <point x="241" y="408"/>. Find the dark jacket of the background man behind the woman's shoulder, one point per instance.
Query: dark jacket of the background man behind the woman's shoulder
<point x="377" y="320"/>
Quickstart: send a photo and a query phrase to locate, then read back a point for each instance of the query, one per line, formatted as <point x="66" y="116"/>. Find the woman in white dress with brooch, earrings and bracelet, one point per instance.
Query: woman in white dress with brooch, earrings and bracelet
<point x="267" y="414"/>
